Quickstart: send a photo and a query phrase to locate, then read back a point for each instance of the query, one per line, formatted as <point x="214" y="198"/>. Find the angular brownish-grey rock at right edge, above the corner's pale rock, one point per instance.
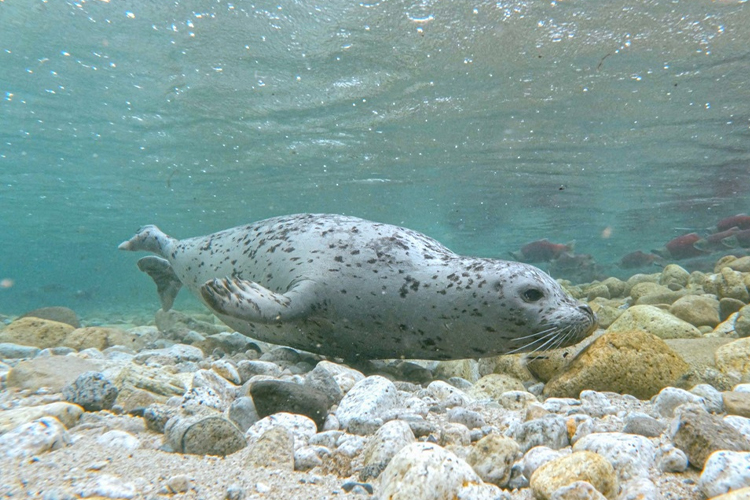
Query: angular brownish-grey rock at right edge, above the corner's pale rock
<point x="699" y="434"/>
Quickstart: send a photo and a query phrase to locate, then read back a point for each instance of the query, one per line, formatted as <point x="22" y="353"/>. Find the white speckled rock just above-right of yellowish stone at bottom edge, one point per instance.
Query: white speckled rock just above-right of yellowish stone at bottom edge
<point x="629" y="454"/>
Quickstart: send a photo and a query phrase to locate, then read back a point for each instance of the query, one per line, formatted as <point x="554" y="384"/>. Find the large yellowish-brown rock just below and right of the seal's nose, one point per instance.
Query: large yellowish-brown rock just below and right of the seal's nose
<point x="627" y="362"/>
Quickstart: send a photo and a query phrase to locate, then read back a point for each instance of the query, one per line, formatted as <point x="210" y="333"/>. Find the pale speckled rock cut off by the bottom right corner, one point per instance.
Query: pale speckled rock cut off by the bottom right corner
<point x="725" y="471"/>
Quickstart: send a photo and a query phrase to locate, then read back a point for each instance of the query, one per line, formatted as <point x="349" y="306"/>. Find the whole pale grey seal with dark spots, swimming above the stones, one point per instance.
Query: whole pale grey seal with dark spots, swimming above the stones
<point x="351" y="288"/>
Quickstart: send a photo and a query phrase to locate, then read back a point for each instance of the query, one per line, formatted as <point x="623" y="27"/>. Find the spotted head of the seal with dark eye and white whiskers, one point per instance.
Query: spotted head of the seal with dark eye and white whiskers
<point x="531" y="301"/>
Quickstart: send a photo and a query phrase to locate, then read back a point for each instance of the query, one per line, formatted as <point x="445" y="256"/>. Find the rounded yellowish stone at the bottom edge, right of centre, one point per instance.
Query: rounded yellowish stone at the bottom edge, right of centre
<point x="578" y="466"/>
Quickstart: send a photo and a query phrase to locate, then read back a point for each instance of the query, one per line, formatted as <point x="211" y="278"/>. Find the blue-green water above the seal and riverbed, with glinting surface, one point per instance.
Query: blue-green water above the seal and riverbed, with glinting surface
<point x="486" y="125"/>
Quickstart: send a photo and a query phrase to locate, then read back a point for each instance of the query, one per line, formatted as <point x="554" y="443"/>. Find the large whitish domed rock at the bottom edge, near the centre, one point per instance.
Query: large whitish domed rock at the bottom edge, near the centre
<point x="428" y="472"/>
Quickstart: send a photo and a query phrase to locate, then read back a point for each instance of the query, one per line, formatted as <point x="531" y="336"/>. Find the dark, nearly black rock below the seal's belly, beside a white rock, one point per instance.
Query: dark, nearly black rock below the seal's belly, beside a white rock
<point x="275" y="396"/>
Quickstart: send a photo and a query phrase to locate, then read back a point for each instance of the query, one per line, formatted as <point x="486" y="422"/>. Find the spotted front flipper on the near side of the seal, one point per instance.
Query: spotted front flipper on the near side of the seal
<point x="248" y="301"/>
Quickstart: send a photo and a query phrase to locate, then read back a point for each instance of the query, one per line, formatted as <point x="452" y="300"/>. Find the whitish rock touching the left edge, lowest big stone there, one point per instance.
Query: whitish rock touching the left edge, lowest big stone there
<point x="33" y="438"/>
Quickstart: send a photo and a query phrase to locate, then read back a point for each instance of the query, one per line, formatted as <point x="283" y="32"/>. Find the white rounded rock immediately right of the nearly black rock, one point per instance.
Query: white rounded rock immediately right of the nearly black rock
<point x="369" y="398"/>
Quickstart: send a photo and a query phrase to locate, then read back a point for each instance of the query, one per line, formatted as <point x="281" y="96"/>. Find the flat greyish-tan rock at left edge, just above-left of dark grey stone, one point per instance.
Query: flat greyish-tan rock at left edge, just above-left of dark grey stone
<point x="53" y="372"/>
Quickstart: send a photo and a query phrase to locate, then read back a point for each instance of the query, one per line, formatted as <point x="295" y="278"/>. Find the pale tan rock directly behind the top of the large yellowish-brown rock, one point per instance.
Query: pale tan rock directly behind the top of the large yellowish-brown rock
<point x="655" y="321"/>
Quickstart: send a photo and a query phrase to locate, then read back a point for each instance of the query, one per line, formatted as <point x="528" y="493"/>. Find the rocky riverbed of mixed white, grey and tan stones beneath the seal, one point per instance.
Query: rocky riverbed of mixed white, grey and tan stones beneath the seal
<point x="655" y="405"/>
